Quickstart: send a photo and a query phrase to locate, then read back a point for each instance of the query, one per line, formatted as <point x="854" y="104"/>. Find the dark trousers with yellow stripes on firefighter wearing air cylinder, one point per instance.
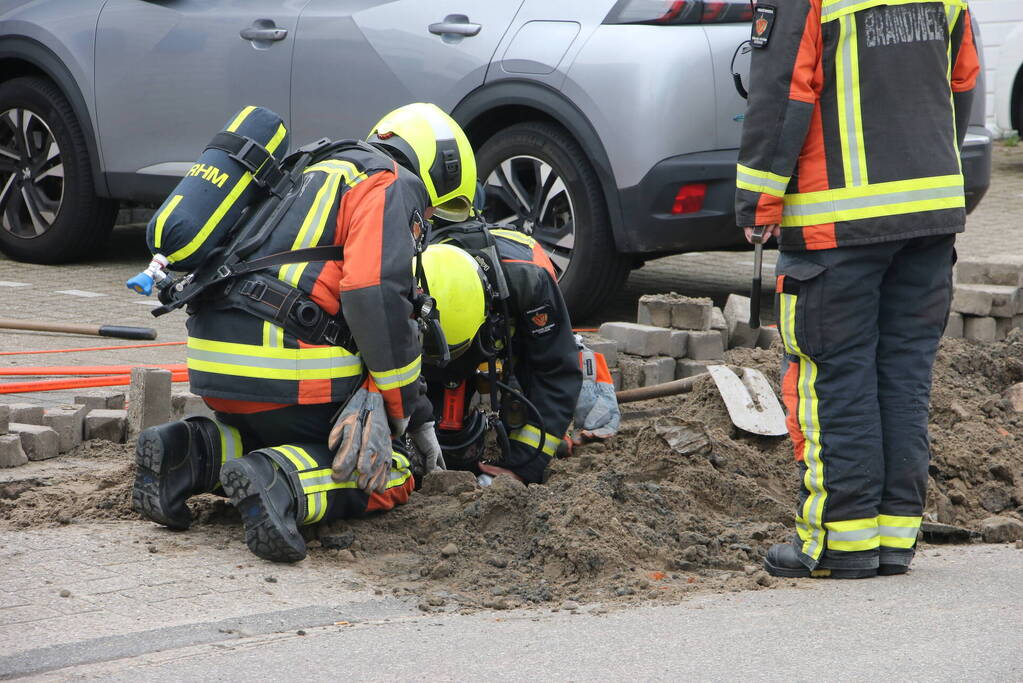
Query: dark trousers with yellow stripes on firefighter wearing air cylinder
<point x="295" y="439"/>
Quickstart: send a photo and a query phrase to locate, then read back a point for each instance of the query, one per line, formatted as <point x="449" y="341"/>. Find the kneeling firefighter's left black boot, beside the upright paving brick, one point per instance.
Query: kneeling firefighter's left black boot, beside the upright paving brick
<point x="173" y="463"/>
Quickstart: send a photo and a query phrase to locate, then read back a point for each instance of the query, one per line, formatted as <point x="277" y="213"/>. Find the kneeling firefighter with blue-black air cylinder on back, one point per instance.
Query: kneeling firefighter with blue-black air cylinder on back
<point x="303" y="322"/>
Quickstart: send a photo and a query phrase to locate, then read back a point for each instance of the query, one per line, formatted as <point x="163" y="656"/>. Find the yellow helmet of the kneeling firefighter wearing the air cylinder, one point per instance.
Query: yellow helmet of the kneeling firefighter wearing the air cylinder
<point x="437" y="150"/>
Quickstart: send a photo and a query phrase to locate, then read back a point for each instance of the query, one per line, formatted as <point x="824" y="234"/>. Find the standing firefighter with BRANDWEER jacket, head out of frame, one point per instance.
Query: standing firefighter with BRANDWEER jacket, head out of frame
<point x="851" y="157"/>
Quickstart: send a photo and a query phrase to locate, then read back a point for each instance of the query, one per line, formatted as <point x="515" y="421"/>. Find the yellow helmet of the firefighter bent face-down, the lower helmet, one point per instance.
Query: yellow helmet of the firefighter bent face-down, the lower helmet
<point x="458" y="285"/>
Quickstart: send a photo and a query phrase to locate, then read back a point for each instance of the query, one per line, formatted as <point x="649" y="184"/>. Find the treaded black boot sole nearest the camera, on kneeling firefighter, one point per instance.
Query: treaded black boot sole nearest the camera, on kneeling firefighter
<point x="269" y="535"/>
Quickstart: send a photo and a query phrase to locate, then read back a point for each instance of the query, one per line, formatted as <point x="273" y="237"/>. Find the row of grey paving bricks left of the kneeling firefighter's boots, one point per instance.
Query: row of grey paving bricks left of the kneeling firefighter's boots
<point x="32" y="433"/>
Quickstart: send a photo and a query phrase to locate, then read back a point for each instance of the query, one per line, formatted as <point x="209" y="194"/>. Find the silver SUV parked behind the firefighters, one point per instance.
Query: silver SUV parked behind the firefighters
<point x="606" y="128"/>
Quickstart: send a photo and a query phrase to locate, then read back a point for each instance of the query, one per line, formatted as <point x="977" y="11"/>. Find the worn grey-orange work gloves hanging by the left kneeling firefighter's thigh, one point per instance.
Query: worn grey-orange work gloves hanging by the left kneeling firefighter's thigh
<point x="362" y="442"/>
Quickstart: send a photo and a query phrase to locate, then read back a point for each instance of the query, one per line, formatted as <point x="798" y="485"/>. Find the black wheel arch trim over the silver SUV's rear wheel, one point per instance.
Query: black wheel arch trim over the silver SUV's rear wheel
<point x="493" y="108"/>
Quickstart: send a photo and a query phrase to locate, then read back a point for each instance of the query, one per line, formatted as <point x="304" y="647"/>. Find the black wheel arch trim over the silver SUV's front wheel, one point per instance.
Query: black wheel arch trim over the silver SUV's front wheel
<point x="25" y="57"/>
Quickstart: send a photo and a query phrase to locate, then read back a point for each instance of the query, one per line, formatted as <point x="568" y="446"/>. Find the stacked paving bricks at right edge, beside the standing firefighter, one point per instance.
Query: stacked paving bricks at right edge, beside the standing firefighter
<point x="988" y="299"/>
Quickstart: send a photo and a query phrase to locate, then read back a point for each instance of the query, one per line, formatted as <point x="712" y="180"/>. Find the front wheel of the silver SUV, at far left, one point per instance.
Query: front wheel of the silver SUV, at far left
<point x="50" y="212"/>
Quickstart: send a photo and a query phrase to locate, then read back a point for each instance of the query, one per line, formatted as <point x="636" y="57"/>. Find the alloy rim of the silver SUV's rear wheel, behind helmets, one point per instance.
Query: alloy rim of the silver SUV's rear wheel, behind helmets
<point x="528" y="194"/>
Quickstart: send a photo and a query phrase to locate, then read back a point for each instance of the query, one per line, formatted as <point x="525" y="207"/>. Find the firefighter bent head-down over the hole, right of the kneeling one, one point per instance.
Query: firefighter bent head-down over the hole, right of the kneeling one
<point x="519" y="349"/>
